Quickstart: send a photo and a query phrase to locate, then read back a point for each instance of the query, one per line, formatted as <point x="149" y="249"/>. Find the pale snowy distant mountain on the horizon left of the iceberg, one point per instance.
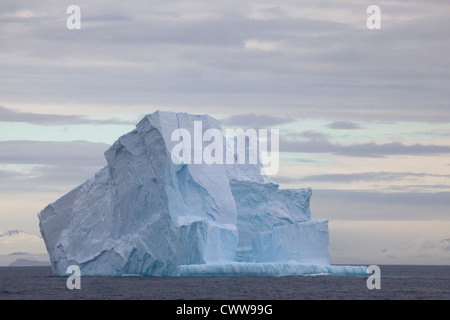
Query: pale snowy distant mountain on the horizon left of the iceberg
<point x="18" y="247"/>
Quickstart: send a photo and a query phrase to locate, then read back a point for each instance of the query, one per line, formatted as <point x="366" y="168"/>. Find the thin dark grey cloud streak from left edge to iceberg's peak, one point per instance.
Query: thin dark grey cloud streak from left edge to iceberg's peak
<point x="9" y="115"/>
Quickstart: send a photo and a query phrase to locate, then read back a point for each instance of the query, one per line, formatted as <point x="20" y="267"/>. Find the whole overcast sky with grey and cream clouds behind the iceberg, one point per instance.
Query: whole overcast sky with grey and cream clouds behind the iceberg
<point x="363" y="114"/>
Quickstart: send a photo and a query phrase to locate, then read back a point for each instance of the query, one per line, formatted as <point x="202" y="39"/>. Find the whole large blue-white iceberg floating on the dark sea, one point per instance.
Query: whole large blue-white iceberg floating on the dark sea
<point x="155" y="212"/>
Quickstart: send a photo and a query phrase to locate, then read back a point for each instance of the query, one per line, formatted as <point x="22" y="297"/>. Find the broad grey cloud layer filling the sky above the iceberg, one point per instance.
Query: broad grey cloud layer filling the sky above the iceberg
<point x="154" y="54"/>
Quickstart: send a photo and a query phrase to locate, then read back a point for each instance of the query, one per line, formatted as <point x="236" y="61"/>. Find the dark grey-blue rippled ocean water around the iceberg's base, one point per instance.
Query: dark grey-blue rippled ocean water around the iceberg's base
<point x="397" y="282"/>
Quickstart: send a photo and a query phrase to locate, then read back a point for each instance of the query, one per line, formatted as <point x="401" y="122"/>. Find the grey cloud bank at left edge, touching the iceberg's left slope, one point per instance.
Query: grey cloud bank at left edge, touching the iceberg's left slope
<point x="51" y="165"/>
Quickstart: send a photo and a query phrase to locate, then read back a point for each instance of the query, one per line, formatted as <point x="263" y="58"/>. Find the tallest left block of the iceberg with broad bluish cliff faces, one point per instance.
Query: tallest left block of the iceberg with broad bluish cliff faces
<point x="143" y="214"/>
